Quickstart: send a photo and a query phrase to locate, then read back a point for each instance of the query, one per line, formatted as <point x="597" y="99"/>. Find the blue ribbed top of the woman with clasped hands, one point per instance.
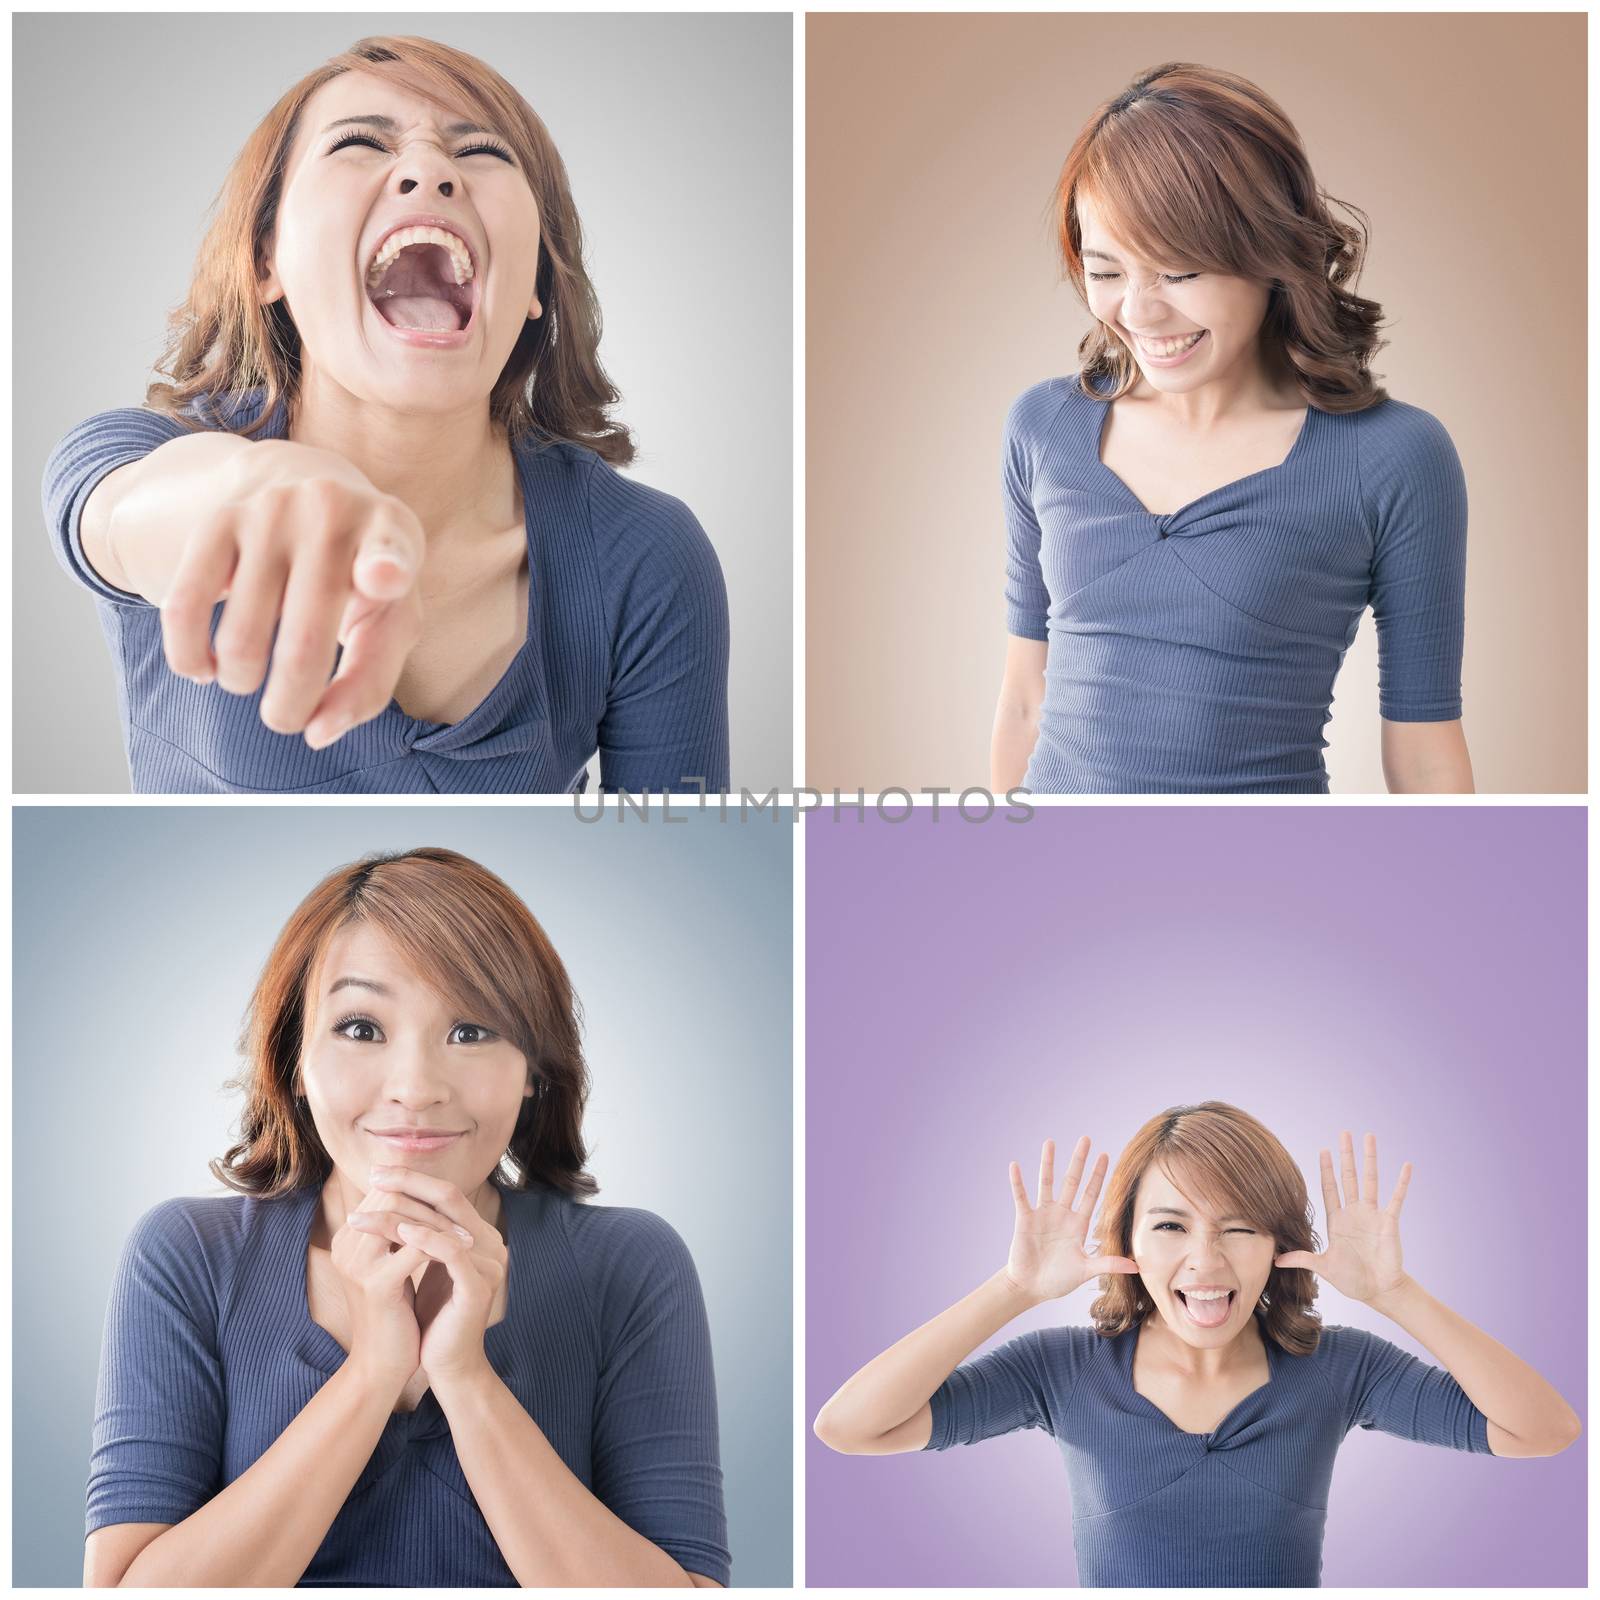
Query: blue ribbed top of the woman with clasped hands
<point x="210" y="1353"/>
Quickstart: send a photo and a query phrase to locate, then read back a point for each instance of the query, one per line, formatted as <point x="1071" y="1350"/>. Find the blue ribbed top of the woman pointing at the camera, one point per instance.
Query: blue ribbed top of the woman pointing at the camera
<point x="626" y="650"/>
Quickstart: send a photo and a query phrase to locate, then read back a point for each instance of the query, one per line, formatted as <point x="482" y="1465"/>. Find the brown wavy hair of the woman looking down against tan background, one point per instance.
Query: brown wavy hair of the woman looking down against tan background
<point x="1201" y="167"/>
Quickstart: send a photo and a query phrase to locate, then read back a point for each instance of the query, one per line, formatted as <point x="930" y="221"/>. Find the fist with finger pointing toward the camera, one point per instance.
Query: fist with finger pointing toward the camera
<point x="292" y="538"/>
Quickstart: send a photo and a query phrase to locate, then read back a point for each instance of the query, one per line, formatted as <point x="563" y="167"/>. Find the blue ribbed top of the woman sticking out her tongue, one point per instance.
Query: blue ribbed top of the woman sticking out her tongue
<point x="1242" y="1506"/>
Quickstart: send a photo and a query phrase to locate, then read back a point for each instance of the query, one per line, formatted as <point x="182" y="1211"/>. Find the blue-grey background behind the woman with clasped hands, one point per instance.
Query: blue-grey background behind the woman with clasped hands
<point x="140" y="934"/>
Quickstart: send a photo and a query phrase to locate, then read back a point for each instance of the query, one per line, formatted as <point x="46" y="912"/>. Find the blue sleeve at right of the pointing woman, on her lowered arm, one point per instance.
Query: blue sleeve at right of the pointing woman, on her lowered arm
<point x="665" y="727"/>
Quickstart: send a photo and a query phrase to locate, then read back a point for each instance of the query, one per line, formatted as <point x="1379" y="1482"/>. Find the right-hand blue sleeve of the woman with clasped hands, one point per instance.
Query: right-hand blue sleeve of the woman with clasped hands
<point x="657" y="1460"/>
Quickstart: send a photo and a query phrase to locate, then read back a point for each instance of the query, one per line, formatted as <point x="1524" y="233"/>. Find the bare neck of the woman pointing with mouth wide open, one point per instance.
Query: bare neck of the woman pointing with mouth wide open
<point x="452" y="468"/>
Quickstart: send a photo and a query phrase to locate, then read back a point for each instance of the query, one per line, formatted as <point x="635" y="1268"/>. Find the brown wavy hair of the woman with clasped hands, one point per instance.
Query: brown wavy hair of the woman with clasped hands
<point x="473" y="940"/>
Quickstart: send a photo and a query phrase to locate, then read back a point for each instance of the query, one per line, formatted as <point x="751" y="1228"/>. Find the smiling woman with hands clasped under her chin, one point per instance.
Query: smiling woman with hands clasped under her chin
<point x="409" y="1354"/>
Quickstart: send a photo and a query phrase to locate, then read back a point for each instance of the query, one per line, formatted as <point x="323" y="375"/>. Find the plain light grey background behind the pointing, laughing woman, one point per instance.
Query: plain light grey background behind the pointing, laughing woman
<point x="678" y="137"/>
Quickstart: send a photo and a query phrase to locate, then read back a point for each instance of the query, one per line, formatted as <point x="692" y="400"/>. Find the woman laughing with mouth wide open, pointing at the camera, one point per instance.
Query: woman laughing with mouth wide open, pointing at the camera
<point x="388" y="436"/>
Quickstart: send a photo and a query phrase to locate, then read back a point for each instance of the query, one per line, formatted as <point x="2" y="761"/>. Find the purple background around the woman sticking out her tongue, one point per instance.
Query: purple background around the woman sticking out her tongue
<point x="977" y="988"/>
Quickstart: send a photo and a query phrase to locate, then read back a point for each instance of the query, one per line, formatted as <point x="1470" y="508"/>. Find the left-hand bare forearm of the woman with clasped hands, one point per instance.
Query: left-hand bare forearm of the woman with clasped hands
<point x="265" y="1529"/>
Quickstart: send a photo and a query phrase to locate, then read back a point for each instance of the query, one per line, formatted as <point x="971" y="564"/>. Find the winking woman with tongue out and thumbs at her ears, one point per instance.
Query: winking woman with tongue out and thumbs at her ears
<point x="1201" y="1414"/>
